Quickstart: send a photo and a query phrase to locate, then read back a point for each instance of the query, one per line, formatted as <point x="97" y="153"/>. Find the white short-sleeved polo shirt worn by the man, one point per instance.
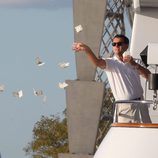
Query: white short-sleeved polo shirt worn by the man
<point x="124" y="79"/>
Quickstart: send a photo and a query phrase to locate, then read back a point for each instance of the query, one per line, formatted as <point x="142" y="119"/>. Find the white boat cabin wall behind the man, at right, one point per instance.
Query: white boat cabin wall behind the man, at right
<point x="145" y="30"/>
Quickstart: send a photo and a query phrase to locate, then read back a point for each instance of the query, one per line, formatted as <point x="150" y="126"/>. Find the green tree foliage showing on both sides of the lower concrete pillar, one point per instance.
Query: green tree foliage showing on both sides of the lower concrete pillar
<point x="50" y="135"/>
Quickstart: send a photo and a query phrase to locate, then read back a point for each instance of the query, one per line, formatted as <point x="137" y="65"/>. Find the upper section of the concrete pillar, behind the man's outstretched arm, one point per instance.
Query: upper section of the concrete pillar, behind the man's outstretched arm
<point x="90" y="14"/>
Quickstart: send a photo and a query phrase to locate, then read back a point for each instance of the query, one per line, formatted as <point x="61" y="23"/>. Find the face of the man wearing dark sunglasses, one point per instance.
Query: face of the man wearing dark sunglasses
<point x="119" y="47"/>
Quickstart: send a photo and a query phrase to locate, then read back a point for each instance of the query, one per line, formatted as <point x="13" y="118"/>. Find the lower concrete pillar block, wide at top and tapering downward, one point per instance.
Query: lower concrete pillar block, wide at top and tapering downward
<point x="84" y="102"/>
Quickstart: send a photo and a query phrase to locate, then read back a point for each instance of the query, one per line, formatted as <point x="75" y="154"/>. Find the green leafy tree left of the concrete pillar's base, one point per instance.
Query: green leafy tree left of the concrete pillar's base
<point x="50" y="137"/>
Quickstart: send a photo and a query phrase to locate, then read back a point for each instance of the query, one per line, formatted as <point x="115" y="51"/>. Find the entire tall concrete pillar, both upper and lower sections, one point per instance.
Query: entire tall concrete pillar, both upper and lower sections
<point x="84" y="96"/>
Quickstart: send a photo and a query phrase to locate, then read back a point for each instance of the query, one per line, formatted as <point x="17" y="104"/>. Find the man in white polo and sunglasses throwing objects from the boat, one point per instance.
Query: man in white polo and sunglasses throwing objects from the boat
<point x="123" y="73"/>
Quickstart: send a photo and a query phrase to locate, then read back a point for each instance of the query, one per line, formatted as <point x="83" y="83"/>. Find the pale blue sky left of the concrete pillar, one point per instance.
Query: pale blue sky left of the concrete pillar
<point x="30" y="29"/>
